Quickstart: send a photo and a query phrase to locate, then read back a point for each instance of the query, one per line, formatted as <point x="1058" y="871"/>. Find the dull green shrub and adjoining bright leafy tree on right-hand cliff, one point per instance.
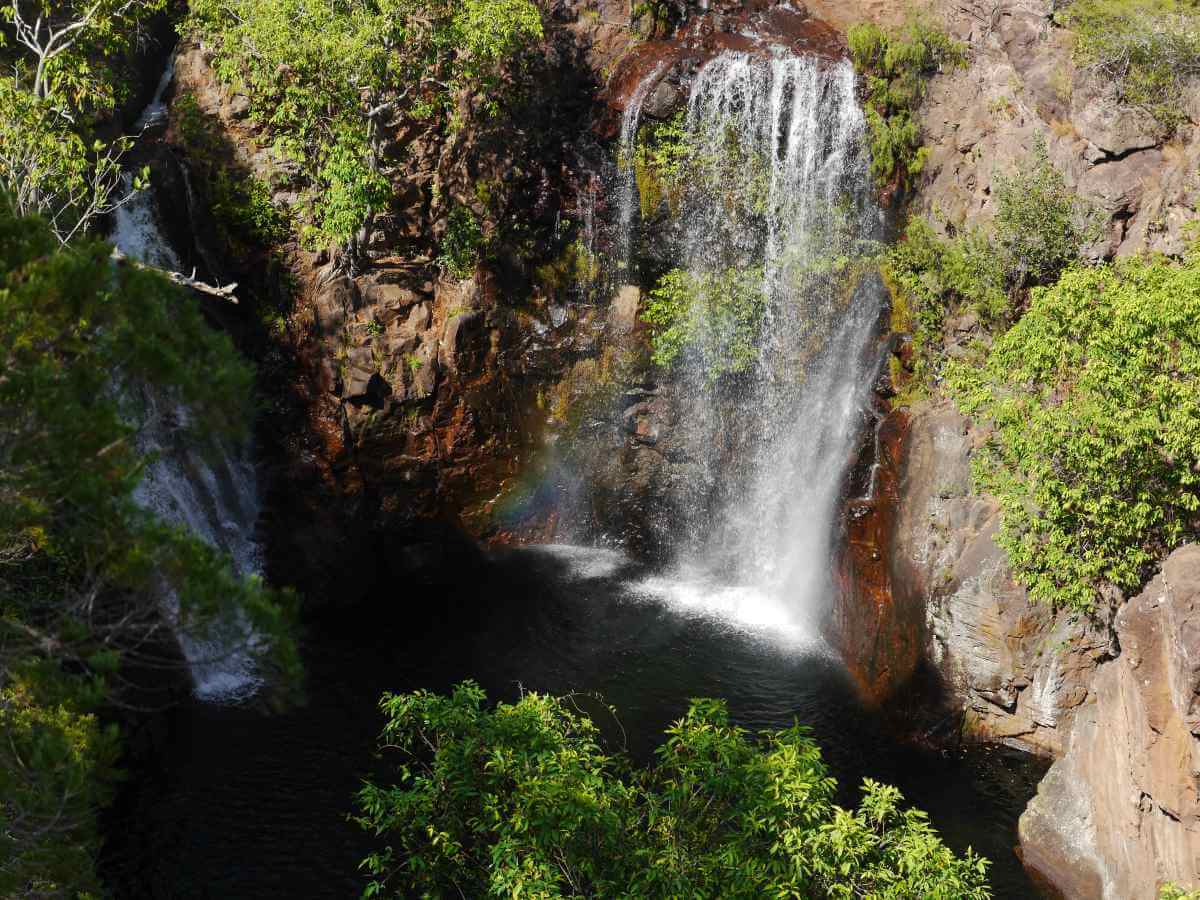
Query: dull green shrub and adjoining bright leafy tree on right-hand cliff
<point x="1085" y="382"/>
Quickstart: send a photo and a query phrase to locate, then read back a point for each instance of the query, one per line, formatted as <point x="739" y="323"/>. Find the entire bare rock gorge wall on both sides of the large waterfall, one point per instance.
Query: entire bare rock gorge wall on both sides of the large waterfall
<point x="415" y="413"/>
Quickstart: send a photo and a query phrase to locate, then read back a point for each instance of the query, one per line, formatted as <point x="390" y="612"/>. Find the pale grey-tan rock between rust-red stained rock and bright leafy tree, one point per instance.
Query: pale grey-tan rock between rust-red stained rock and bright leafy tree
<point x="1018" y="670"/>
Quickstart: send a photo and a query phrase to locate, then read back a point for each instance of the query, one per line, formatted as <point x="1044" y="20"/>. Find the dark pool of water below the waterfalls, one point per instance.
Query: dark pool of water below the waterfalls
<point x="254" y="806"/>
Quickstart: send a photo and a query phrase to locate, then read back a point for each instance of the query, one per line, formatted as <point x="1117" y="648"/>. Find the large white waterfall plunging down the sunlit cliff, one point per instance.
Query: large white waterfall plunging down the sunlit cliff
<point x="778" y="201"/>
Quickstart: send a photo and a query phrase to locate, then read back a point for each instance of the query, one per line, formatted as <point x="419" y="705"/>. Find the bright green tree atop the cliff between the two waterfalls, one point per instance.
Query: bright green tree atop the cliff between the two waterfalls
<point x="349" y="64"/>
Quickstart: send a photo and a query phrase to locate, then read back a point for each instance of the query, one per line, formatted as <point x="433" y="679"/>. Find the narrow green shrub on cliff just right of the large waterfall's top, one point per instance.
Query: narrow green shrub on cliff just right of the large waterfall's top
<point x="896" y="65"/>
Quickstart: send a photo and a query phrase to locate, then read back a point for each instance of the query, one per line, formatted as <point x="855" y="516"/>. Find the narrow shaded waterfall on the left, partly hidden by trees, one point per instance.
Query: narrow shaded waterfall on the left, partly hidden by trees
<point x="215" y="495"/>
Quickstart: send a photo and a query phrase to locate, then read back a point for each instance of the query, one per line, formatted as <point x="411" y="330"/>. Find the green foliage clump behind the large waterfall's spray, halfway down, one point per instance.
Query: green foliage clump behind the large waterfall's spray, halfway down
<point x="715" y="319"/>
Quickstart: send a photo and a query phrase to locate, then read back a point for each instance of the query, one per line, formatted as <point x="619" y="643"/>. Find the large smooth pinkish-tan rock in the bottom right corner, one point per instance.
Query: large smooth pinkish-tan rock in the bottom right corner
<point x="1119" y="814"/>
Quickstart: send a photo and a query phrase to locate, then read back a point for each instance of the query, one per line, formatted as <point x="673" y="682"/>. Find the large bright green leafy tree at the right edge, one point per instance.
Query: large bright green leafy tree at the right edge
<point x="1094" y="399"/>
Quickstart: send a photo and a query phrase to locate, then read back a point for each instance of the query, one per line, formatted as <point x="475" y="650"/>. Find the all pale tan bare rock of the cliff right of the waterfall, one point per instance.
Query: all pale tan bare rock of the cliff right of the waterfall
<point x="1112" y="698"/>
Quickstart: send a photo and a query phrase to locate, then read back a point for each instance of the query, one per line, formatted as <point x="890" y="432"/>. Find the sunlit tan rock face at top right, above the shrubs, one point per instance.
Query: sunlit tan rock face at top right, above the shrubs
<point x="1022" y="82"/>
